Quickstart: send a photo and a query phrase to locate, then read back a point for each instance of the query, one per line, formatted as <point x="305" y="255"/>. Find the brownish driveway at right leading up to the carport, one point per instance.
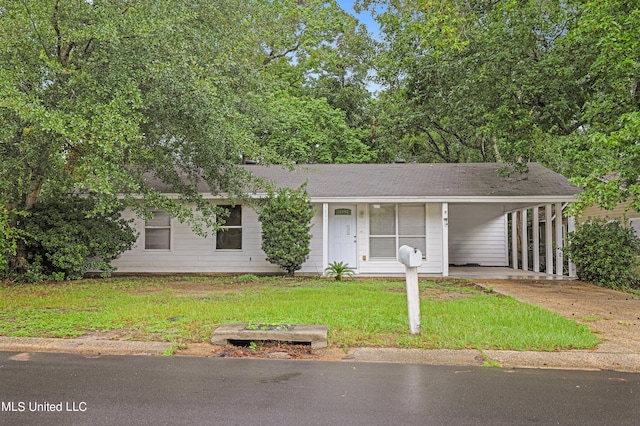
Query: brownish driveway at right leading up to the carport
<point x="612" y="315"/>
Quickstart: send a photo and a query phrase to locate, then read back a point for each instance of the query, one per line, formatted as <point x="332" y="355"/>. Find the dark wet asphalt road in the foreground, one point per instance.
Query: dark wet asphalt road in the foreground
<point x="109" y="390"/>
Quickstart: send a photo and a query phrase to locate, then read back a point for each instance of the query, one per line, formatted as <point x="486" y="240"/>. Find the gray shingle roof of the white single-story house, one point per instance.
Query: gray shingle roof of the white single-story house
<point x="417" y="180"/>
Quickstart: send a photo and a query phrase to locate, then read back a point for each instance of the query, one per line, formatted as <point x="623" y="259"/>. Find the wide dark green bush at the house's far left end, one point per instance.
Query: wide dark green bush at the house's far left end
<point x="64" y="242"/>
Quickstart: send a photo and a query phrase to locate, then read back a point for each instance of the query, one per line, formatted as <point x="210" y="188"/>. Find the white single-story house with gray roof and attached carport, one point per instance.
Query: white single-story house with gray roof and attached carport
<point x="456" y="214"/>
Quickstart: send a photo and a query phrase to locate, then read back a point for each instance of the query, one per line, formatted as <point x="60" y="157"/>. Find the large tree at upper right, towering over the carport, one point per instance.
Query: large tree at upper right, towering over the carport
<point x="517" y="81"/>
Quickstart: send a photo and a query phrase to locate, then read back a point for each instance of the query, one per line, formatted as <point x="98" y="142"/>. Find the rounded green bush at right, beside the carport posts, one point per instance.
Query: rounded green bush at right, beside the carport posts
<point x="605" y="253"/>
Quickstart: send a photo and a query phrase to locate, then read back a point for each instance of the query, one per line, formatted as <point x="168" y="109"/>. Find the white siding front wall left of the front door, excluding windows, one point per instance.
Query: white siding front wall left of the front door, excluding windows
<point x="191" y="253"/>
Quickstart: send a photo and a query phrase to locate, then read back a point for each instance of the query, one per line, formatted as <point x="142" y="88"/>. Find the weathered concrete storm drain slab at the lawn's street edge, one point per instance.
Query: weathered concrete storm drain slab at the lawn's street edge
<point x="316" y="335"/>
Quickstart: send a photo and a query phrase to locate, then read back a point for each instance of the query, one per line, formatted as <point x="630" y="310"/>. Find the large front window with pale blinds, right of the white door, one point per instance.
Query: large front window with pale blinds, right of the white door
<point x="394" y="225"/>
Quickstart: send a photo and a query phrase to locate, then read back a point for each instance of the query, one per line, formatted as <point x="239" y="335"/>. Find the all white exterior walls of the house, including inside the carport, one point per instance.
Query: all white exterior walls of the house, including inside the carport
<point x="477" y="235"/>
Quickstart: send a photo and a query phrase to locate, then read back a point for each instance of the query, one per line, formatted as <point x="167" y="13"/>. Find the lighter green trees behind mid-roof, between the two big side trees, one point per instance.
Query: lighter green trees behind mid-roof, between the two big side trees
<point x="317" y="58"/>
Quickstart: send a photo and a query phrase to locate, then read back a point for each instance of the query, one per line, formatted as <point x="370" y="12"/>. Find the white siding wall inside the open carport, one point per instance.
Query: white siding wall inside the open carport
<point x="478" y="235"/>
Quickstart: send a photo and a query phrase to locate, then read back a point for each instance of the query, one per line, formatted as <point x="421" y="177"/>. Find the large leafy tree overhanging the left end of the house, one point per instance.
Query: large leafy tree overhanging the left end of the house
<point x="101" y="95"/>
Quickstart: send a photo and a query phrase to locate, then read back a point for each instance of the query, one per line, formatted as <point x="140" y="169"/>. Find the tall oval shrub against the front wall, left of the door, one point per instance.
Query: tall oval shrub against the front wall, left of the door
<point x="286" y="216"/>
